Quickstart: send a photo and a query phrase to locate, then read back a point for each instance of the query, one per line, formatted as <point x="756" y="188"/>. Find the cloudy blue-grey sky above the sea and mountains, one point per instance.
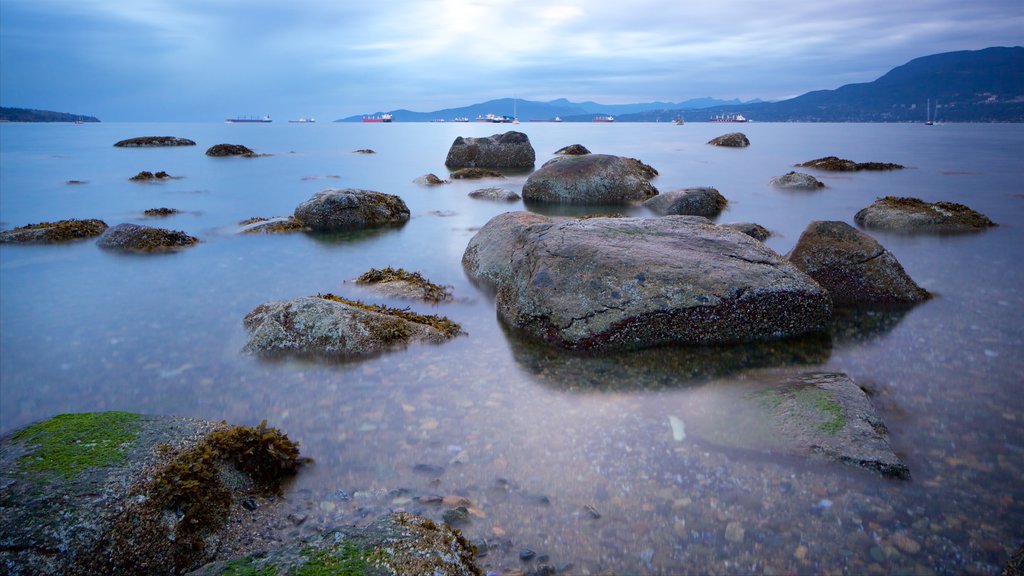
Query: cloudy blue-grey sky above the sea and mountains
<point x="209" y="60"/>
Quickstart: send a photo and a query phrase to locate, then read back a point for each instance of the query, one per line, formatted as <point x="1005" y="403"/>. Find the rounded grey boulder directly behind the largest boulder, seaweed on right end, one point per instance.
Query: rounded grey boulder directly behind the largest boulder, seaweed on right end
<point x="591" y="179"/>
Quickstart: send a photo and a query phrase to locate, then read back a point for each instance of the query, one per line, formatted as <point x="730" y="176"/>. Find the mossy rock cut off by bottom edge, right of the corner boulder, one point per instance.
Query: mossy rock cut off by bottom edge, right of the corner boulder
<point x="398" y="544"/>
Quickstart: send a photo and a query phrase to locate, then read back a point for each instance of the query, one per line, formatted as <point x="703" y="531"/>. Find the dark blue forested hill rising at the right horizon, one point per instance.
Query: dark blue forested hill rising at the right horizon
<point x="966" y="87"/>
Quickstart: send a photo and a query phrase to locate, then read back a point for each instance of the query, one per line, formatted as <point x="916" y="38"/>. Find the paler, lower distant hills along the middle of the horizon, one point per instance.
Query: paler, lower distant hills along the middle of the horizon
<point x="532" y="110"/>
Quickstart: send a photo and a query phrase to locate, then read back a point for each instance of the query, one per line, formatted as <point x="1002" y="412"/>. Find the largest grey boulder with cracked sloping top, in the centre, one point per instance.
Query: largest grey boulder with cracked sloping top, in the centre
<point x="633" y="283"/>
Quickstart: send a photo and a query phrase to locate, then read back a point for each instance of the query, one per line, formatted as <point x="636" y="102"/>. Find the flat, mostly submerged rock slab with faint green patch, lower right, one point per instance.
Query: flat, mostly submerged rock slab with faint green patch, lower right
<point x="820" y="416"/>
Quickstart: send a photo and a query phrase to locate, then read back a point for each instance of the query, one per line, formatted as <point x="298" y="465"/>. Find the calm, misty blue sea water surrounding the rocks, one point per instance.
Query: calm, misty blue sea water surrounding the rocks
<point x="540" y="443"/>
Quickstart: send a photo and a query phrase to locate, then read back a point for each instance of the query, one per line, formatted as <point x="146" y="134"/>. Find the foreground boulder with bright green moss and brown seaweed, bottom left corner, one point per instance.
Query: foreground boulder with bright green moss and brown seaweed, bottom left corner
<point x="122" y="493"/>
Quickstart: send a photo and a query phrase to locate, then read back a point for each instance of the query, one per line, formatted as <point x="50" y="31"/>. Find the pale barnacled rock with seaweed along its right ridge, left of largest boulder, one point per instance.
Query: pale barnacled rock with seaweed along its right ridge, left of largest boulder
<point x="329" y="325"/>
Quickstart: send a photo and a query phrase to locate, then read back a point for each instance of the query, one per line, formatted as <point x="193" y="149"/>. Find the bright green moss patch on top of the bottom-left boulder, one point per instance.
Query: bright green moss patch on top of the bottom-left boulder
<point x="66" y="445"/>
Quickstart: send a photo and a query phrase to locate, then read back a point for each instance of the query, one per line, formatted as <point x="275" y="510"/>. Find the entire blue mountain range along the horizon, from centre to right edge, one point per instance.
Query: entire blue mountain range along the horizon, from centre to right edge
<point x="983" y="86"/>
